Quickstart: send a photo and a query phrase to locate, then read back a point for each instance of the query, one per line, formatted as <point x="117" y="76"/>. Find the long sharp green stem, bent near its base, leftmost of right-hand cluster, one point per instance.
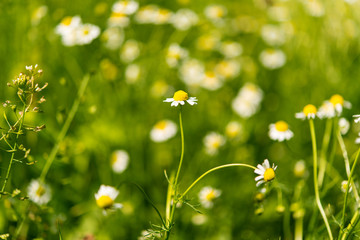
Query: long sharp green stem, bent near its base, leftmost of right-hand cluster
<point x="316" y="185"/>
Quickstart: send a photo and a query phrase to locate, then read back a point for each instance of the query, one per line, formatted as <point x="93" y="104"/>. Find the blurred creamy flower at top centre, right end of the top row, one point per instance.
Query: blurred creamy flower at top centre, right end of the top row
<point x="184" y="19"/>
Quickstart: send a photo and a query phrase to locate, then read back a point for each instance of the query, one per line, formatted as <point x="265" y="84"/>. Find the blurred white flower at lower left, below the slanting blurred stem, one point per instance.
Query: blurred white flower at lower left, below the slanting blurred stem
<point x="39" y="192"/>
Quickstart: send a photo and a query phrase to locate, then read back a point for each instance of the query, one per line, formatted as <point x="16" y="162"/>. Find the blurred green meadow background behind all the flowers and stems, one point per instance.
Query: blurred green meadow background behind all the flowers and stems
<point x="322" y="59"/>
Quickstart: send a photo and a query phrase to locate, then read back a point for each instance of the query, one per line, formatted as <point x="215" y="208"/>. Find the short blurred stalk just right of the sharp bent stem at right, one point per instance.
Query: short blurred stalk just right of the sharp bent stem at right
<point x="324" y="149"/>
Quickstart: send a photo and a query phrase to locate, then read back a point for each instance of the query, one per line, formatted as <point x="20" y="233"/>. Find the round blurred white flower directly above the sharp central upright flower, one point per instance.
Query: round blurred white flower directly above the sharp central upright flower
<point x="192" y="72"/>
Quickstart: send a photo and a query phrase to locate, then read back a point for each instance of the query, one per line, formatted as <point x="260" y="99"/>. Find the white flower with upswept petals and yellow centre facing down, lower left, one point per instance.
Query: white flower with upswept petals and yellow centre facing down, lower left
<point x="105" y="198"/>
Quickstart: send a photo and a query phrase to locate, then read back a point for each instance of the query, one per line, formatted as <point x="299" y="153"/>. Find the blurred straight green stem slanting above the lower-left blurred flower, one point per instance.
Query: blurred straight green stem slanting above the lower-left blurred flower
<point x="65" y="127"/>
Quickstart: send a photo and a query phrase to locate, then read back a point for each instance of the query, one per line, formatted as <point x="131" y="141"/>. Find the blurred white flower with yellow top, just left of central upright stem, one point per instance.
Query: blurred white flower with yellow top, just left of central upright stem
<point x="163" y="131"/>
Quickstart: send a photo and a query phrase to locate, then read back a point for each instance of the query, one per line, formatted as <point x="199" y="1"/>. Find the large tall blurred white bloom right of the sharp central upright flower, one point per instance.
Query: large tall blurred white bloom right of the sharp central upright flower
<point x="248" y="100"/>
